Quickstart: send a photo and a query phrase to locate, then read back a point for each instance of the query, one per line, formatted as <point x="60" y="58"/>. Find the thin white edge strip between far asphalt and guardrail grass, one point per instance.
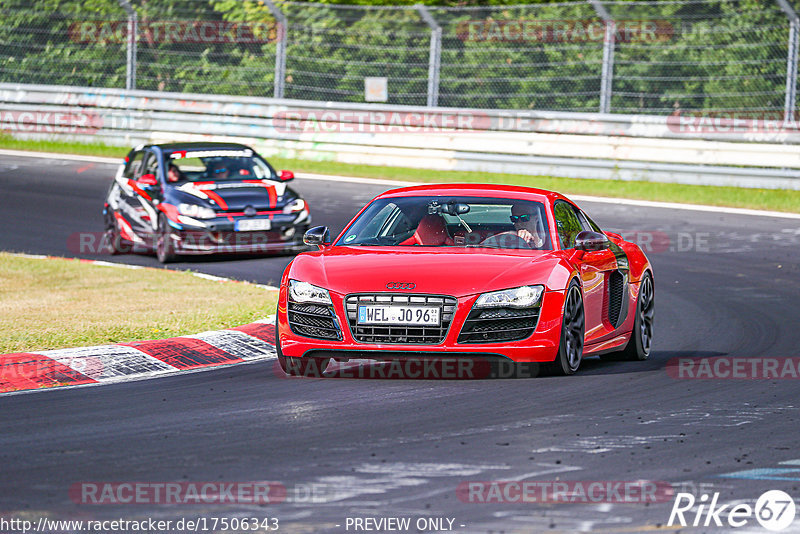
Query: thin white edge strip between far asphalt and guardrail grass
<point x="400" y="183"/>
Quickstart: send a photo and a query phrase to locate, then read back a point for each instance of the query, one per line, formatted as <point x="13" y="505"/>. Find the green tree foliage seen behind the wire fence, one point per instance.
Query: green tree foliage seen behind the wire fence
<point x="721" y="54"/>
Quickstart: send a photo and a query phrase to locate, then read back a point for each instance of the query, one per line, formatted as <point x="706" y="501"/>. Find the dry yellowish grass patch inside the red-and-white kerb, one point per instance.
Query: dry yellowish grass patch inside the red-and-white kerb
<point x="58" y="303"/>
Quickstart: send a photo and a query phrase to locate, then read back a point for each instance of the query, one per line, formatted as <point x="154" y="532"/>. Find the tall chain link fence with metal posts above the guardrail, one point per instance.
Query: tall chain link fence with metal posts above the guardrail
<point x="644" y="57"/>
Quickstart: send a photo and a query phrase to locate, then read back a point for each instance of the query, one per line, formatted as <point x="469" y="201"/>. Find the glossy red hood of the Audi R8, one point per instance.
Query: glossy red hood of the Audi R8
<point x="450" y="271"/>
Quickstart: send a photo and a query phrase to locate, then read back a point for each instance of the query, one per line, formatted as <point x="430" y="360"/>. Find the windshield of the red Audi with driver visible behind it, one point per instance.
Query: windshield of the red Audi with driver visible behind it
<point x="451" y="222"/>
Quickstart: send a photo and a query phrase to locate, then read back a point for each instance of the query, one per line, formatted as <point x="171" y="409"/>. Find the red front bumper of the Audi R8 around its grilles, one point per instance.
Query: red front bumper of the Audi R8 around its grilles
<point x="541" y="346"/>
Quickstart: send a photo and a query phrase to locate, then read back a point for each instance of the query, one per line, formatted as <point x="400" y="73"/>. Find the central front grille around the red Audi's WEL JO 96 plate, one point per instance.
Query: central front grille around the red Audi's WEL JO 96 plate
<point x="428" y="335"/>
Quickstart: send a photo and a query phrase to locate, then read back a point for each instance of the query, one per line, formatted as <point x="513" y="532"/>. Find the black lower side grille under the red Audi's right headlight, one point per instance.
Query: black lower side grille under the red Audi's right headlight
<point x="494" y="325"/>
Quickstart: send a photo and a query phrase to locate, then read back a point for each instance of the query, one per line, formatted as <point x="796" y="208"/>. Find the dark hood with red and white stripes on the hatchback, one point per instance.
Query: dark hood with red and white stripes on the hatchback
<point x="237" y="195"/>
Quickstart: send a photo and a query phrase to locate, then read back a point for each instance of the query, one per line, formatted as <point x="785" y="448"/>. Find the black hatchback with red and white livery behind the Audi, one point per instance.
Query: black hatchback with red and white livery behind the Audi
<point x="202" y="198"/>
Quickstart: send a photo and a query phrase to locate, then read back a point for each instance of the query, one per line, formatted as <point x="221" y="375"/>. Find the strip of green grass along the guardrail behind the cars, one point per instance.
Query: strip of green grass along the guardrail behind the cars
<point x="764" y="199"/>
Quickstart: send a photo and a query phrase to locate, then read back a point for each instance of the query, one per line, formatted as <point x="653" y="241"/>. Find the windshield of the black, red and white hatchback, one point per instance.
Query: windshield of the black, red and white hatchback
<point x="216" y="165"/>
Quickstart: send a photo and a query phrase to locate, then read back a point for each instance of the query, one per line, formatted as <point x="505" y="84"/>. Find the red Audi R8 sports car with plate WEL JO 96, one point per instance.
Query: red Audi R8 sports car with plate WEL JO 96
<point x="466" y="271"/>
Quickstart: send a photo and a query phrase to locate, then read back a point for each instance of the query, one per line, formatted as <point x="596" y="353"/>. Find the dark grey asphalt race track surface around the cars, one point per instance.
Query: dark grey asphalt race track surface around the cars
<point x="726" y="285"/>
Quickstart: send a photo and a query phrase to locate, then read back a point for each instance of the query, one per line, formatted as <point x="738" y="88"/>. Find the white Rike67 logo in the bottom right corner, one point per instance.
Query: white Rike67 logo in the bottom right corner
<point x="774" y="510"/>
